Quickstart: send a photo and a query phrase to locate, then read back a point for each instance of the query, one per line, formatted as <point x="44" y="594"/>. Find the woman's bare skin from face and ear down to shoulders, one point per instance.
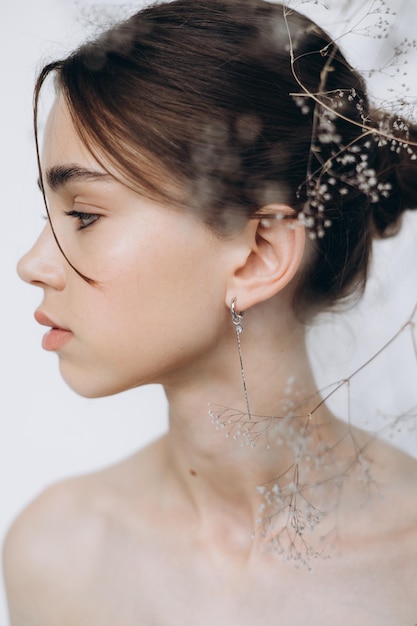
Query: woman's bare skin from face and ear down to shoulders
<point x="166" y="536"/>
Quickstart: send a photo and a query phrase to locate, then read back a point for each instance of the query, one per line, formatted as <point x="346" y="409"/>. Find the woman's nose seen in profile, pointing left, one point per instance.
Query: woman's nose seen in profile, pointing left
<point x="43" y="264"/>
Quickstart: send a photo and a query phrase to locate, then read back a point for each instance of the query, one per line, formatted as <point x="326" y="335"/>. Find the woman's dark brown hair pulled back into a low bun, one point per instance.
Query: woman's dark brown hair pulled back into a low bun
<point x="243" y="103"/>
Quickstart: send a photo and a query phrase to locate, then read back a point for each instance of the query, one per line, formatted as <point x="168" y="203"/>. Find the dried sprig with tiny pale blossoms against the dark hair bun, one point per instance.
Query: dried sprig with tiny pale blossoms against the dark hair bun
<point x="337" y="168"/>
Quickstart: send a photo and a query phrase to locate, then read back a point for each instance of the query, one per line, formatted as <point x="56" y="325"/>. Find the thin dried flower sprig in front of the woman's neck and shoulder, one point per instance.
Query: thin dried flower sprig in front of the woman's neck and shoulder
<point x="302" y="496"/>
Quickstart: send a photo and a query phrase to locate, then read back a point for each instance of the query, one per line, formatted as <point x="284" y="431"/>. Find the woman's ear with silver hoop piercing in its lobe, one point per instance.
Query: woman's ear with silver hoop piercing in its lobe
<point x="272" y="249"/>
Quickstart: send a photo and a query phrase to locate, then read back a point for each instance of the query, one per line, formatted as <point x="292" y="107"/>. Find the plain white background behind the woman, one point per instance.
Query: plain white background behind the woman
<point x="46" y="431"/>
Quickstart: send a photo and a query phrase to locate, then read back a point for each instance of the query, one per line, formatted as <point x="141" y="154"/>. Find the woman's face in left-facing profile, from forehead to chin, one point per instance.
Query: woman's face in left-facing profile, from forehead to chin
<point x="157" y="300"/>
